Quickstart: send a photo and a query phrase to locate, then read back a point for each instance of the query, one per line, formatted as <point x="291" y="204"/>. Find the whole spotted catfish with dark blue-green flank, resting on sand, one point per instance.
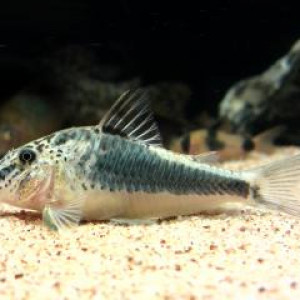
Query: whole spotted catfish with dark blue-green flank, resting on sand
<point x="119" y="170"/>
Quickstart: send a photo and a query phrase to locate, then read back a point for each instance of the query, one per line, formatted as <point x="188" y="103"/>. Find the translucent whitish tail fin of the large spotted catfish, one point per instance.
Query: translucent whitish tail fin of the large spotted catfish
<point x="277" y="185"/>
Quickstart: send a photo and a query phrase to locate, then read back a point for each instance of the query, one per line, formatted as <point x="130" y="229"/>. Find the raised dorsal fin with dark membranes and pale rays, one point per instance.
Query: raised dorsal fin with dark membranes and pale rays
<point x="132" y="118"/>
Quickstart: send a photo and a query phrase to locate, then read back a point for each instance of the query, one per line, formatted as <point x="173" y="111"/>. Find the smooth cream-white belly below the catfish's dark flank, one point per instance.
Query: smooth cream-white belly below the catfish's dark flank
<point x="102" y="205"/>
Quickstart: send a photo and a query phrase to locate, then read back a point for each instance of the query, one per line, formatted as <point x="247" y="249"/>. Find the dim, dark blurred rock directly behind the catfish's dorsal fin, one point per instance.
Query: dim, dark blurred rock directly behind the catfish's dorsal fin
<point x="86" y="94"/>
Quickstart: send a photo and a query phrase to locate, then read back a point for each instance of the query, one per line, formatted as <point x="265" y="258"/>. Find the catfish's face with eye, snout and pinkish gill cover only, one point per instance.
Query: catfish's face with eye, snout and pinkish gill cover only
<point x="26" y="179"/>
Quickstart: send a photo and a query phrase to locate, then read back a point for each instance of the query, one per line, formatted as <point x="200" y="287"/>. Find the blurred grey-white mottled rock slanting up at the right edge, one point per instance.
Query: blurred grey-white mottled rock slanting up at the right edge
<point x="268" y="99"/>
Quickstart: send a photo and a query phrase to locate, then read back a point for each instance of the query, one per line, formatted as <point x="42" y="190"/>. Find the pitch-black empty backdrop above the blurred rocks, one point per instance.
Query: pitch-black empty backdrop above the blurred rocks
<point x="209" y="44"/>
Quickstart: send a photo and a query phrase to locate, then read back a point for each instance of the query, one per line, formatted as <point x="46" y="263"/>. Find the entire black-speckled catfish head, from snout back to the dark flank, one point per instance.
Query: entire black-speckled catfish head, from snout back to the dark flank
<point x="28" y="173"/>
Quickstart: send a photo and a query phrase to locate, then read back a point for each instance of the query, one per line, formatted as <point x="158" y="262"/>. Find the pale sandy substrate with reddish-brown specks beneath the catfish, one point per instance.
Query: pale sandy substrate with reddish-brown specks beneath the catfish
<point x="241" y="254"/>
